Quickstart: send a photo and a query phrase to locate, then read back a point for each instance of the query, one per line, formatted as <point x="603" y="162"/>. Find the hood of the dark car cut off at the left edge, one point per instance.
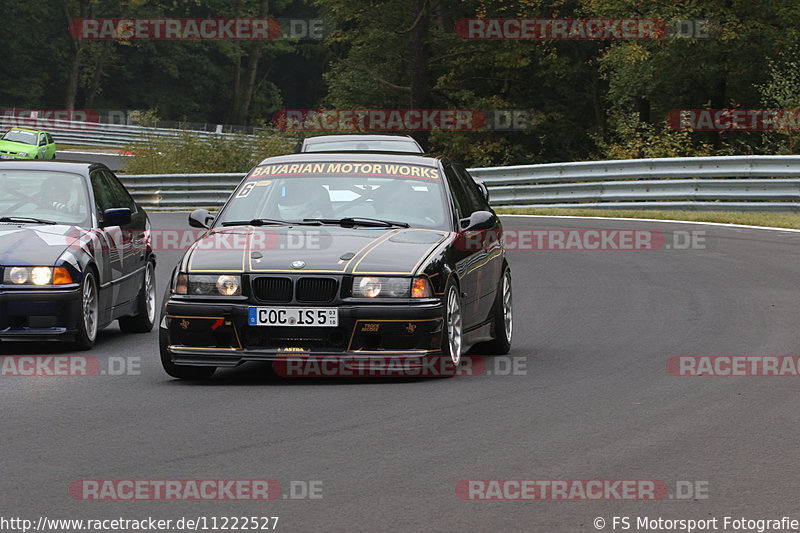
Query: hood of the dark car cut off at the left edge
<point x="29" y="244"/>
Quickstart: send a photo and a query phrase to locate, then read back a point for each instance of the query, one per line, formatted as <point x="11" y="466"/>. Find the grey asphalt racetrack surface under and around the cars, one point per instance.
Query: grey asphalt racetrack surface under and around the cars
<point x="593" y="399"/>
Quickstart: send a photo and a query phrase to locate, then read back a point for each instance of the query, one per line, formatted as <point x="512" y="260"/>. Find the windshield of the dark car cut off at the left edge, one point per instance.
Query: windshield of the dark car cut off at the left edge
<point x="60" y="197"/>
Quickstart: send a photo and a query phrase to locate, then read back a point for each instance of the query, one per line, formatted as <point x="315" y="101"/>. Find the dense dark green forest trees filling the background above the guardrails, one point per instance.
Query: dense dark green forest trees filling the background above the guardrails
<point x="596" y="99"/>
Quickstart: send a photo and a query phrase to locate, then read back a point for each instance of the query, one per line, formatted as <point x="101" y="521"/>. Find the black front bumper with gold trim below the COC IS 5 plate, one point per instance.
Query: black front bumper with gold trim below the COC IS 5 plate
<point x="218" y="334"/>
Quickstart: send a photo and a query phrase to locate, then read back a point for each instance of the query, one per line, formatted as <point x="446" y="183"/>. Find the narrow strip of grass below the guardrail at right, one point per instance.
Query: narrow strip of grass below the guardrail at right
<point x="772" y="220"/>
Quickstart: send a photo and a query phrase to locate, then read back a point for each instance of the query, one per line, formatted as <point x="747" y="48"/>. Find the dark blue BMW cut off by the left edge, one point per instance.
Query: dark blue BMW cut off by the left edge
<point x="75" y="253"/>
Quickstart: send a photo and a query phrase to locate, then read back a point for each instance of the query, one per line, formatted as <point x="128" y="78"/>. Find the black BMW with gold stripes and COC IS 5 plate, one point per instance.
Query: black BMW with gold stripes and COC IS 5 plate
<point x="352" y="255"/>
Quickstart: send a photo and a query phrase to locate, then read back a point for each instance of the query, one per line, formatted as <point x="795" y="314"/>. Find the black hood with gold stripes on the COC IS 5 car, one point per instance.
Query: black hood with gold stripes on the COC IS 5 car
<point x="325" y="249"/>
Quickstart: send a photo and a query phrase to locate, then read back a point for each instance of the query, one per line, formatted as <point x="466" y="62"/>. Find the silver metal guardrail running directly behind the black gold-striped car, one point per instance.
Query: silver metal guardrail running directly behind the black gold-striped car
<point x="699" y="183"/>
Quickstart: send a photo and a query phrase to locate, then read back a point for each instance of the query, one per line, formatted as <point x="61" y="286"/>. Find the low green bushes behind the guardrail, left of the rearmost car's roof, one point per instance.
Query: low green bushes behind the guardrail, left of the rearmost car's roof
<point x="192" y="153"/>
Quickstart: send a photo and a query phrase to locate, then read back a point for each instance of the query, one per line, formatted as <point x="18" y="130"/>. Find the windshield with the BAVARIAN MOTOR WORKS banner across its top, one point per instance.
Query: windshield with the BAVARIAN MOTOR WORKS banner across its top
<point x="409" y="194"/>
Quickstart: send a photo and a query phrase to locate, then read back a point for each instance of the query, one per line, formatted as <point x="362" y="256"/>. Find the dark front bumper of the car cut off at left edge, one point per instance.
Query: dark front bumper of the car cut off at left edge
<point x="39" y="313"/>
